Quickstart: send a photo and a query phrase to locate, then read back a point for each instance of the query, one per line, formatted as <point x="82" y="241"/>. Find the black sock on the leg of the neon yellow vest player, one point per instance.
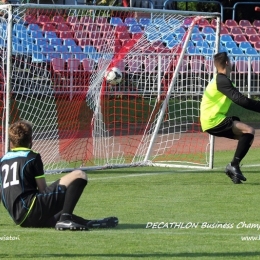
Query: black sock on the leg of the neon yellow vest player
<point x="243" y="146"/>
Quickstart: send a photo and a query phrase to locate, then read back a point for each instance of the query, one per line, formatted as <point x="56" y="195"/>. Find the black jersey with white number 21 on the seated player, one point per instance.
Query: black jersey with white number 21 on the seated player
<point x="19" y="169"/>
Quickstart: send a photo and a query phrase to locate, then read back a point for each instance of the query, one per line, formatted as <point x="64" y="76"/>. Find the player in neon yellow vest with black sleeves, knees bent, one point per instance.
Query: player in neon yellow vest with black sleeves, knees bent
<point x="216" y="101"/>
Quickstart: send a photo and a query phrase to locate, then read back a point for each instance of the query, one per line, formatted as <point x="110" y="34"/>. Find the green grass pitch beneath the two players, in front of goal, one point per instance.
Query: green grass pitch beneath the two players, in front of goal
<point x="140" y="195"/>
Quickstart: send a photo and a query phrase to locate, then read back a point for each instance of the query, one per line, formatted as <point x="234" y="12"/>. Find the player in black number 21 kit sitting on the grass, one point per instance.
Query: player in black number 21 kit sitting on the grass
<point x="27" y="198"/>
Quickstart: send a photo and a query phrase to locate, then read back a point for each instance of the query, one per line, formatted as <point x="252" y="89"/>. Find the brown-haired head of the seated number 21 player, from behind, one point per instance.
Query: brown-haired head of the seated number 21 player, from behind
<point x="20" y="134"/>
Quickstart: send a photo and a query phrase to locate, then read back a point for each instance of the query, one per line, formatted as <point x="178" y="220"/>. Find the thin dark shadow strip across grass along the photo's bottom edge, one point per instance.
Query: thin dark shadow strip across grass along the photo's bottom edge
<point x="221" y="255"/>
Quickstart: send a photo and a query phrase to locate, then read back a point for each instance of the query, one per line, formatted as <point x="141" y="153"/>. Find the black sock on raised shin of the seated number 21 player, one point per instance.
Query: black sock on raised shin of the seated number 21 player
<point x="72" y="196"/>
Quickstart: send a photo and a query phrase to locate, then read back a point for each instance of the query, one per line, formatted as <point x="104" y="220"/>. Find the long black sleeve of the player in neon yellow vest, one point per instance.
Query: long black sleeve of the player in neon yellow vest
<point x="225" y="86"/>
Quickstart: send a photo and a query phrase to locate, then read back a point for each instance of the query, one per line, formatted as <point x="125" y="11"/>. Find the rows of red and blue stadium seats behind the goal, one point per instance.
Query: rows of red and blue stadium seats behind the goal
<point x="68" y="43"/>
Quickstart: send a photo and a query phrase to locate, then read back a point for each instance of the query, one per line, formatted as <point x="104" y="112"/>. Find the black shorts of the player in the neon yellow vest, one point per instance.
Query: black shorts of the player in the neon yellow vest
<point x="224" y="129"/>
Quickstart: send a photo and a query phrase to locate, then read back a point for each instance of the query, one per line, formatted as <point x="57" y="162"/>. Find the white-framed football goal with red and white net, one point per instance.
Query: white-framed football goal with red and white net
<point x="53" y="66"/>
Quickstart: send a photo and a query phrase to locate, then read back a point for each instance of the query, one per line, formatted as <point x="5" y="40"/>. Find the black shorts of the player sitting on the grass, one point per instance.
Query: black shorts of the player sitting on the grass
<point x="46" y="205"/>
